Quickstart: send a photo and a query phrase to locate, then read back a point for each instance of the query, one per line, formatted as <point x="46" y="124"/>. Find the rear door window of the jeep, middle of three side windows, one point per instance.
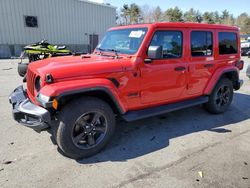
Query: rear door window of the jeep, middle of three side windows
<point x="201" y="43"/>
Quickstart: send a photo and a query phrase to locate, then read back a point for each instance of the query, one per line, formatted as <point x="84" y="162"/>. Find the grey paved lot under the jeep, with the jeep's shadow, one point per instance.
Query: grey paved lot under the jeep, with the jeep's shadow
<point x="164" y="151"/>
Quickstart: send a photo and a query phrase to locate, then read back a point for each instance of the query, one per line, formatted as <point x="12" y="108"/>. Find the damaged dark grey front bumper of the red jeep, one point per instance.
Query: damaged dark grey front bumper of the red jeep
<point x="27" y="113"/>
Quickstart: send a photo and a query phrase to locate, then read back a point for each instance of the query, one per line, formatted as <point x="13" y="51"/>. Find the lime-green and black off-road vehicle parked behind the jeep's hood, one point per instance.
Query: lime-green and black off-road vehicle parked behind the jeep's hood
<point x="38" y="51"/>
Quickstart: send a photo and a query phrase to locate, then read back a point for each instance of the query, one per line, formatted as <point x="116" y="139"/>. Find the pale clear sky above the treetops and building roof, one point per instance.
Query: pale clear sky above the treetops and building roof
<point x="235" y="7"/>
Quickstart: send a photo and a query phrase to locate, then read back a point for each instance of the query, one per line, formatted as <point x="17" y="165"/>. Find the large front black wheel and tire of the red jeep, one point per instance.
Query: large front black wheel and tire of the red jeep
<point x="71" y="120"/>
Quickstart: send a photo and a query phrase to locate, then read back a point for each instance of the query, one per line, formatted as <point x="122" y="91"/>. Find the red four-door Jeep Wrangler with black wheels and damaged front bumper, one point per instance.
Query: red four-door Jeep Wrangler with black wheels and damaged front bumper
<point x="136" y="72"/>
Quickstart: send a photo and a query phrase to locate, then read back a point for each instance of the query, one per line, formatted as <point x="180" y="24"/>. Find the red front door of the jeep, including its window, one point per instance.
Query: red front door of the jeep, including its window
<point x="164" y="80"/>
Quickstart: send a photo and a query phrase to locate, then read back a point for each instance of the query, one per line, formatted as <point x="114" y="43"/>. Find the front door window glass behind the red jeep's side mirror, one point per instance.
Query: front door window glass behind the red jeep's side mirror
<point x="171" y="42"/>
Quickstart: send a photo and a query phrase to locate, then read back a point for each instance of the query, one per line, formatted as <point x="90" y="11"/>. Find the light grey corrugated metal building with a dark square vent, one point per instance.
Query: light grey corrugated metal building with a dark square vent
<point x="79" y="24"/>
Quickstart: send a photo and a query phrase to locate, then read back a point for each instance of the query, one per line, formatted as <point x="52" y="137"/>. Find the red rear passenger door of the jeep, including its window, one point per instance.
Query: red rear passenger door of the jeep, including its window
<point x="201" y="62"/>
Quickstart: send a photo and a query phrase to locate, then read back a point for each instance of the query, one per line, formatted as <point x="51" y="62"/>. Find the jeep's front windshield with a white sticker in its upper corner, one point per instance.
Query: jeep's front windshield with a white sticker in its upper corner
<point x="125" y="41"/>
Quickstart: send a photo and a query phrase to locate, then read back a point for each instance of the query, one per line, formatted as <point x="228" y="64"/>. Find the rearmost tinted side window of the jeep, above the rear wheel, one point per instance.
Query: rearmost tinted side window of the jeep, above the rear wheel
<point x="227" y="43"/>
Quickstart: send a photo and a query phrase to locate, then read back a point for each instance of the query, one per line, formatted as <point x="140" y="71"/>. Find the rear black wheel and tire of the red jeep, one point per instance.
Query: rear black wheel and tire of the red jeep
<point x="221" y="97"/>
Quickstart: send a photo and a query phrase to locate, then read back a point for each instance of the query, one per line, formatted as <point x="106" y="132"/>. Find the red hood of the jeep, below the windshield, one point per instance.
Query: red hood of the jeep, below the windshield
<point x="76" y="66"/>
